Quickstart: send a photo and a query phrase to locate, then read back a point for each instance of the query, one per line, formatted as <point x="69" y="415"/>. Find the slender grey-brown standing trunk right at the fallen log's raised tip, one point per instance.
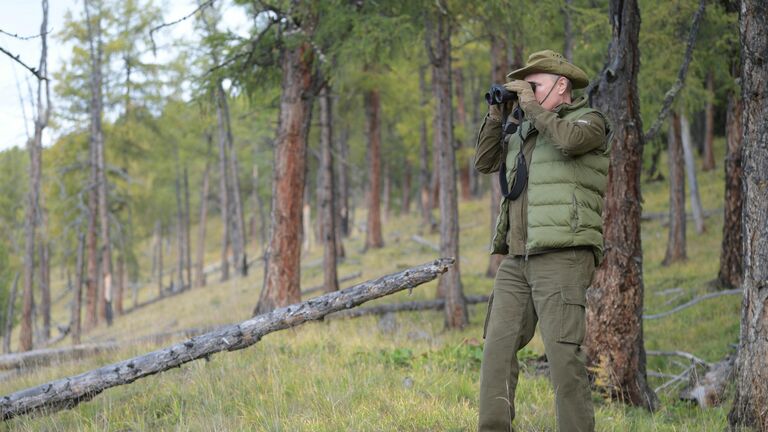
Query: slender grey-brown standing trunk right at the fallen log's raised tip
<point x="449" y="284"/>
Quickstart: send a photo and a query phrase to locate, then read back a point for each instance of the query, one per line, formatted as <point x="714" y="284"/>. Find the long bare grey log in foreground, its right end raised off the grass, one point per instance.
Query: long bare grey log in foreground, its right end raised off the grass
<point x="68" y="392"/>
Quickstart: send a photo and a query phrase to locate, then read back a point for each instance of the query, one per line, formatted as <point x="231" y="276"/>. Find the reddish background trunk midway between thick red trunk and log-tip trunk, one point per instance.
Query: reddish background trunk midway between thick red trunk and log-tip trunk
<point x="373" y="237"/>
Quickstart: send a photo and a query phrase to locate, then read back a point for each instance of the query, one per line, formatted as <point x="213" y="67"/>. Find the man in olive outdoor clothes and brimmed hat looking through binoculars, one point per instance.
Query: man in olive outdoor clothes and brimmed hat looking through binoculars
<point x="554" y="170"/>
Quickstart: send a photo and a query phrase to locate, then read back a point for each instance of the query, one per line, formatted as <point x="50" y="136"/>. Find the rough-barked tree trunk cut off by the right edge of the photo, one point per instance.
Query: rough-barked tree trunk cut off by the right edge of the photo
<point x="751" y="399"/>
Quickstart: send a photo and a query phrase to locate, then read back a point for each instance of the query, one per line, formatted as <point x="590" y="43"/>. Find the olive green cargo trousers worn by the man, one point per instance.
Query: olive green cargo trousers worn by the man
<point x="549" y="288"/>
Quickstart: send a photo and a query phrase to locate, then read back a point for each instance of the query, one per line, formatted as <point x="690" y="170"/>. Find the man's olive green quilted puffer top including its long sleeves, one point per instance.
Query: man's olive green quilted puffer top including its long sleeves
<point x="561" y="206"/>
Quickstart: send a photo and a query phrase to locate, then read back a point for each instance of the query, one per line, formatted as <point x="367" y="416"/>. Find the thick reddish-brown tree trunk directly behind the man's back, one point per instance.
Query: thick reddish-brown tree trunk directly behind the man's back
<point x="614" y="342"/>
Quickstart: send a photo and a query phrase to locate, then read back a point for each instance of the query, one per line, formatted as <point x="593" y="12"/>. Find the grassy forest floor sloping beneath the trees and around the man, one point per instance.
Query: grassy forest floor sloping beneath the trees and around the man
<point x="406" y="374"/>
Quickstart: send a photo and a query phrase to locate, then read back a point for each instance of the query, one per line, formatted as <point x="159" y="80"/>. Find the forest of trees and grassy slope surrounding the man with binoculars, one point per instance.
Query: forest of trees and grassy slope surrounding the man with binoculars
<point x="196" y="175"/>
